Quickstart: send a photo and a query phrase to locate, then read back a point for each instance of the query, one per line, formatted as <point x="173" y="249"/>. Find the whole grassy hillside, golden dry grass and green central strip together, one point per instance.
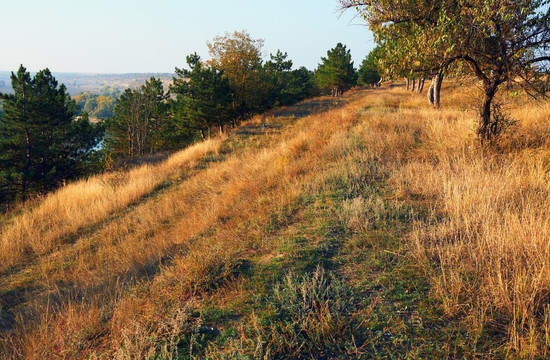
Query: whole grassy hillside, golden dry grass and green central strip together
<point x="365" y="227"/>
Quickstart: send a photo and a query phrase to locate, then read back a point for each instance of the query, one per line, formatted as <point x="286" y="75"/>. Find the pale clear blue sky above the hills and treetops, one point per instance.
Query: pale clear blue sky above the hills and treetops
<point x="126" y="36"/>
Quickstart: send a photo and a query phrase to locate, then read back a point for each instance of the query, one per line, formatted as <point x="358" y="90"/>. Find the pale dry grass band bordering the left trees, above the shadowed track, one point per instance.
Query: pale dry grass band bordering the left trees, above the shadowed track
<point x="80" y="205"/>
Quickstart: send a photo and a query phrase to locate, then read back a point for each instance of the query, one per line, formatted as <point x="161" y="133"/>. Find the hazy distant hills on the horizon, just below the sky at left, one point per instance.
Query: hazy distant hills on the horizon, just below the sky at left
<point x="80" y="82"/>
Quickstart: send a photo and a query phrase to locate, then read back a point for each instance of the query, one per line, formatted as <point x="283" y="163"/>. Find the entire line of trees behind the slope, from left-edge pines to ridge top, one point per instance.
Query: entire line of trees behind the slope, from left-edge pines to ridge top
<point x="46" y="137"/>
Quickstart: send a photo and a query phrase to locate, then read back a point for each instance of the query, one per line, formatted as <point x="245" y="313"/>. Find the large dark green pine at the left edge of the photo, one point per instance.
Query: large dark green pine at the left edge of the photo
<point x="41" y="144"/>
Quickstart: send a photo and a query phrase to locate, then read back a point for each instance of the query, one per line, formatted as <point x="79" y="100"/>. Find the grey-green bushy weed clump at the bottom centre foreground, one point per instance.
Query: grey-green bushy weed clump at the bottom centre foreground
<point x="313" y="315"/>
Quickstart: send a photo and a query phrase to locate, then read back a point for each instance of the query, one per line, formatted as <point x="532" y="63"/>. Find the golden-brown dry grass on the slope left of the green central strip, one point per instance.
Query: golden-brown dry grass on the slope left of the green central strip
<point x="135" y="269"/>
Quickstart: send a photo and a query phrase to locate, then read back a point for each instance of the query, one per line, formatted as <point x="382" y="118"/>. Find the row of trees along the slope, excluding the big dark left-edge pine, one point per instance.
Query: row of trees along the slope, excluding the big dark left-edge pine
<point x="208" y="96"/>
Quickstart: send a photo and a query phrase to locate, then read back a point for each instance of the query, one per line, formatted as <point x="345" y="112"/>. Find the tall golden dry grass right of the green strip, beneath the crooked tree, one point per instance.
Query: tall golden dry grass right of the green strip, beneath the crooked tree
<point x="487" y="239"/>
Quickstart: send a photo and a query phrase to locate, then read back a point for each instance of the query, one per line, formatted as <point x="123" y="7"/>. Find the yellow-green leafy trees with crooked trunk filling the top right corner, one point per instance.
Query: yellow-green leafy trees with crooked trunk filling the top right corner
<point x="497" y="42"/>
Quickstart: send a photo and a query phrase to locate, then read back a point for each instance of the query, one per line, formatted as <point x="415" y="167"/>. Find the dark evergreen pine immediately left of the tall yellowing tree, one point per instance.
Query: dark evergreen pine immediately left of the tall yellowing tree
<point x="203" y="97"/>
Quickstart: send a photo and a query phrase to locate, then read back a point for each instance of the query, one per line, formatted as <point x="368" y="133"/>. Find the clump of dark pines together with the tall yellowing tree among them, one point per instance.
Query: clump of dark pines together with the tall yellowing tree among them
<point x="234" y="85"/>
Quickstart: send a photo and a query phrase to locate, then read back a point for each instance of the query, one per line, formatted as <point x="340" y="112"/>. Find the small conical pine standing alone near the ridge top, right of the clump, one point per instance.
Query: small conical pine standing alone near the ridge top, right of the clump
<point x="336" y="73"/>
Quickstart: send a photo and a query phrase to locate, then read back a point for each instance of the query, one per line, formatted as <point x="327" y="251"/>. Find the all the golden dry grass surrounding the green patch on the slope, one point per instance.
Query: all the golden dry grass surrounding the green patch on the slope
<point x="109" y="280"/>
